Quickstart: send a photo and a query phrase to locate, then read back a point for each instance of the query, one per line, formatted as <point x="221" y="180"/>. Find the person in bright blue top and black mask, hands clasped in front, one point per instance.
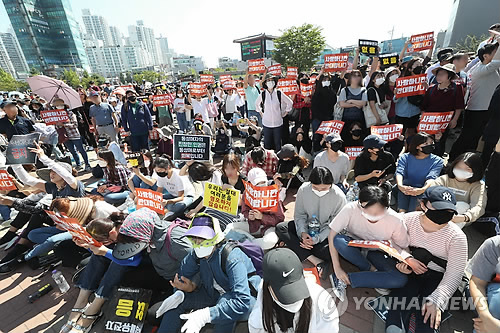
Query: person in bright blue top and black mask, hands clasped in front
<point x="416" y="169"/>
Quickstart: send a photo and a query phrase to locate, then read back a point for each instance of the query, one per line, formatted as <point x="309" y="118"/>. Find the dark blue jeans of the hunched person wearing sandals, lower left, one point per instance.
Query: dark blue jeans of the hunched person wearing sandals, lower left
<point x="102" y="275"/>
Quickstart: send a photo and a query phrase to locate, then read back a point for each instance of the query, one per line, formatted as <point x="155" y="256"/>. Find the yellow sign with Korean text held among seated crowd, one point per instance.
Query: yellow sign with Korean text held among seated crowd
<point x="222" y="200"/>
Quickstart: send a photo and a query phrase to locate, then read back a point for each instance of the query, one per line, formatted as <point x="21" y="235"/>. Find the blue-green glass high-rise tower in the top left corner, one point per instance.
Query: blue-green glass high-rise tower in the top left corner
<point x="48" y="34"/>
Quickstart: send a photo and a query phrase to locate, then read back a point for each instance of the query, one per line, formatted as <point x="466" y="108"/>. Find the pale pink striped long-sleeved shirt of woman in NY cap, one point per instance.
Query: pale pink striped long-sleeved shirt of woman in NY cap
<point x="449" y="243"/>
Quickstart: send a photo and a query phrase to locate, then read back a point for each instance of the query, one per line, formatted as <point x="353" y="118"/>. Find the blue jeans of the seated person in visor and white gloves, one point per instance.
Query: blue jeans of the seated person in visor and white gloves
<point x="194" y="301"/>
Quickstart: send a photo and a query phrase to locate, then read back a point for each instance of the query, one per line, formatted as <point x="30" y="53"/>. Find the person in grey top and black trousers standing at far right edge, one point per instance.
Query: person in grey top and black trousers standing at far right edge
<point x="485" y="77"/>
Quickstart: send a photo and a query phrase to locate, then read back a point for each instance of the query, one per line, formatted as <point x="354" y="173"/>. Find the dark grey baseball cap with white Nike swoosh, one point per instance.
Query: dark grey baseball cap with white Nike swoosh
<point x="284" y="272"/>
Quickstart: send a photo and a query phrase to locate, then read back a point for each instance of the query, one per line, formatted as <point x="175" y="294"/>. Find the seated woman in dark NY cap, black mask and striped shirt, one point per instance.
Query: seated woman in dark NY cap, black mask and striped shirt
<point x="435" y="263"/>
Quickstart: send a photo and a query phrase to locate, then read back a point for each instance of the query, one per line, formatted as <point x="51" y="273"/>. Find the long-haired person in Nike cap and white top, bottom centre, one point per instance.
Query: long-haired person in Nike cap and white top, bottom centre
<point x="288" y="301"/>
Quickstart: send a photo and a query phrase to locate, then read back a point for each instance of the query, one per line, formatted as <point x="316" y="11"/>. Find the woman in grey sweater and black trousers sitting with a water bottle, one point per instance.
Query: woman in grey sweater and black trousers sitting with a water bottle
<point x="316" y="199"/>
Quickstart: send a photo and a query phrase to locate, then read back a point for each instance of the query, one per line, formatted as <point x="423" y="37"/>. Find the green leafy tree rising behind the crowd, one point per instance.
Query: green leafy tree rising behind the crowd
<point x="299" y="46"/>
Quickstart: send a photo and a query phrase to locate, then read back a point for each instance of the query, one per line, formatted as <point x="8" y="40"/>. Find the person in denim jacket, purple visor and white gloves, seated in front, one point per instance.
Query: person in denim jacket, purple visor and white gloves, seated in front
<point x="224" y="294"/>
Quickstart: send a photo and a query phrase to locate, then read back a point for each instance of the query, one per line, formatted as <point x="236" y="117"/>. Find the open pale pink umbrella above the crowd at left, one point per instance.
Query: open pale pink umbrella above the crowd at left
<point x="50" y="88"/>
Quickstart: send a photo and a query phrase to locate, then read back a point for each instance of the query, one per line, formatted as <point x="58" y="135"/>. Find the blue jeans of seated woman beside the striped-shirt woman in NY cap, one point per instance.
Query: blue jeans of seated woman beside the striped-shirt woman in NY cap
<point x="387" y="276"/>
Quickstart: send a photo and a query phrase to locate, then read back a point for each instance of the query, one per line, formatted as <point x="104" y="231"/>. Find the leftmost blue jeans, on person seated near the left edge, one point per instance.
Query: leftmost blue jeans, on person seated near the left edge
<point x="46" y="238"/>
